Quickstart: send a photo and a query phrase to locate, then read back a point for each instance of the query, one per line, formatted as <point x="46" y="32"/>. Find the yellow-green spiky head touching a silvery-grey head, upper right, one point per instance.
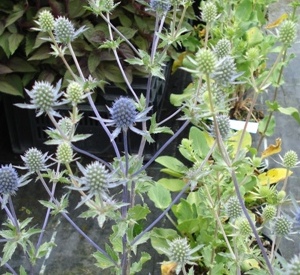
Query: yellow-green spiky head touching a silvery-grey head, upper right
<point x="206" y="61"/>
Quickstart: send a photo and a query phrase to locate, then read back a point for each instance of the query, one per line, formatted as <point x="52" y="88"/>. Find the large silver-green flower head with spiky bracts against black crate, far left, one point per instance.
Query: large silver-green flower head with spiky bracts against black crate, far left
<point x="43" y="97"/>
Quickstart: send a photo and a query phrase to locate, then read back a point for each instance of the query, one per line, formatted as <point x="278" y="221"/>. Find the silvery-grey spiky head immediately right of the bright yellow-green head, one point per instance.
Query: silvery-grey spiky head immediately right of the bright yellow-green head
<point x="225" y="72"/>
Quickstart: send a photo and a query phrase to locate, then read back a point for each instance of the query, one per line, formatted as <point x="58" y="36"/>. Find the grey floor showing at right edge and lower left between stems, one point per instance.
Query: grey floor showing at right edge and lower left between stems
<point x="70" y="255"/>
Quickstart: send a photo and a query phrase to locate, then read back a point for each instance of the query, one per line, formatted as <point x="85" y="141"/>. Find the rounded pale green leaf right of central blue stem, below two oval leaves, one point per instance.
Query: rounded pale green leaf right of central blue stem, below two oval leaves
<point x="160" y="196"/>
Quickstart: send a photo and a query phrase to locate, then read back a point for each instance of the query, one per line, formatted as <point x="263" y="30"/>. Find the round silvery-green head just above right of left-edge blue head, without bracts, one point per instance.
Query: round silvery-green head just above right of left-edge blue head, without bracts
<point x="35" y="160"/>
